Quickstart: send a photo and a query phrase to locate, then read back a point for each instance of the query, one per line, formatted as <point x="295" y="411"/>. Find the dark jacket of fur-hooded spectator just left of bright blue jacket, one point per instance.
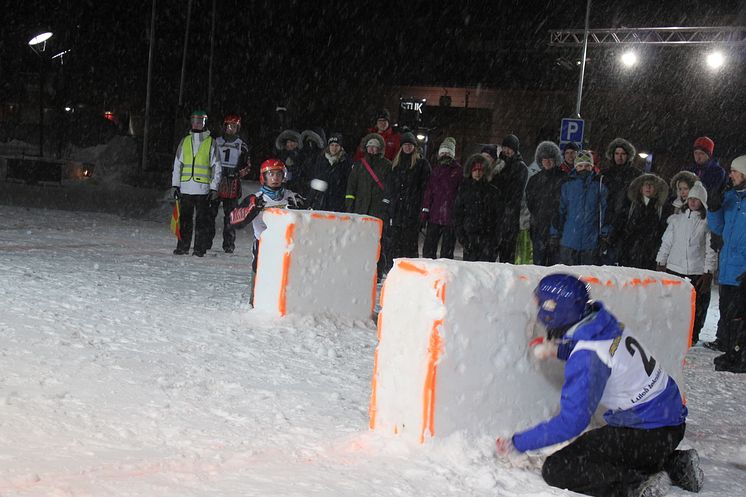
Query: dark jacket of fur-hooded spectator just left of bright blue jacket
<point x="542" y="198"/>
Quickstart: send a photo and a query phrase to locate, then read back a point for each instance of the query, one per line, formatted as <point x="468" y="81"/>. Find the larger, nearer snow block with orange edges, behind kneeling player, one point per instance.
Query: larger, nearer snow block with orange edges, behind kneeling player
<point x="453" y="338"/>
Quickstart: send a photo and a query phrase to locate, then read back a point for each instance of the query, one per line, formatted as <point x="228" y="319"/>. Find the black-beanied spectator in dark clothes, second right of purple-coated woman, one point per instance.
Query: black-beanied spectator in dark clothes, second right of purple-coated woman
<point x="510" y="181"/>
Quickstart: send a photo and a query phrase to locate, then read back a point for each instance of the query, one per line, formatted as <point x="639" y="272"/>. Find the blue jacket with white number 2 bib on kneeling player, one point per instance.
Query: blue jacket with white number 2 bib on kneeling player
<point x="607" y="365"/>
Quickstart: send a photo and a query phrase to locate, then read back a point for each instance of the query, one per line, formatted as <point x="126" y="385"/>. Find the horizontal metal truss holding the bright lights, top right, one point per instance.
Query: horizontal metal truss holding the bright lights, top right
<point x="730" y="35"/>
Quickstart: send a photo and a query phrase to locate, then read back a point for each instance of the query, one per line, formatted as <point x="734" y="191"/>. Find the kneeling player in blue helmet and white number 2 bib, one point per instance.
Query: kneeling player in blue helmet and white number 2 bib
<point x="634" y="453"/>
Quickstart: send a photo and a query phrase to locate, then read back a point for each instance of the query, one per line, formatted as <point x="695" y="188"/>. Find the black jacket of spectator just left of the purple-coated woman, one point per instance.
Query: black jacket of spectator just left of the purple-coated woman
<point x="405" y="187"/>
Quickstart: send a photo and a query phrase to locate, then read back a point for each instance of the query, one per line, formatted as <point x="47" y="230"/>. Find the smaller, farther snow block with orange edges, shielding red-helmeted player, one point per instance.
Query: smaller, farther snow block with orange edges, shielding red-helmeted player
<point x="316" y="262"/>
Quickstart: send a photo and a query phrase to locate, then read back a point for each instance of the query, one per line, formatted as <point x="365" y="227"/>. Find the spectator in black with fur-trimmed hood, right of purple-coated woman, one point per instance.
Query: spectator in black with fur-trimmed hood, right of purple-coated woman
<point x="473" y="213"/>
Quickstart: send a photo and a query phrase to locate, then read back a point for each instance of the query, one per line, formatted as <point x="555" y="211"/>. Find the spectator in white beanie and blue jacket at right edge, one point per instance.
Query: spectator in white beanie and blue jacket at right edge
<point x="726" y="218"/>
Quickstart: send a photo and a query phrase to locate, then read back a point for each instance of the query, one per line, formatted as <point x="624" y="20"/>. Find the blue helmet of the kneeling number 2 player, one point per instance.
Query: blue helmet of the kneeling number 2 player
<point x="563" y="301"/>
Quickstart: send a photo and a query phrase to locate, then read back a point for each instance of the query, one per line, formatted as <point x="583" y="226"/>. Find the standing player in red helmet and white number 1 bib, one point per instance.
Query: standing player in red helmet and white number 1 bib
<point x="235" y="162"/>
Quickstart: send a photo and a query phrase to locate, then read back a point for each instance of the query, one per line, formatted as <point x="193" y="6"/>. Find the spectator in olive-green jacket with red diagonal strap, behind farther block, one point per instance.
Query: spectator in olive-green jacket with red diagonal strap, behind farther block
<point x="366" y="185"/>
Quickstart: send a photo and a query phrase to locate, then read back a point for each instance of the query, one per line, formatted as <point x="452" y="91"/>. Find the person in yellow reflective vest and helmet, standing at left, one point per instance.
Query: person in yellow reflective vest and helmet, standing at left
<point x="195" y="180"/>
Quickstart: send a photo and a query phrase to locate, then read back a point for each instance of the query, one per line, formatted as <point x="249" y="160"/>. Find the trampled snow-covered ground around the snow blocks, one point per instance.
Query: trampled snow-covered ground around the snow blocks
<point x="128" y="371"/>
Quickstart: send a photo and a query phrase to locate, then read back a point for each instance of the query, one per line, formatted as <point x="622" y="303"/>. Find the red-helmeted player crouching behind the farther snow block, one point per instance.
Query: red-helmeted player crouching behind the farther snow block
<point x="272" y="194"/>
